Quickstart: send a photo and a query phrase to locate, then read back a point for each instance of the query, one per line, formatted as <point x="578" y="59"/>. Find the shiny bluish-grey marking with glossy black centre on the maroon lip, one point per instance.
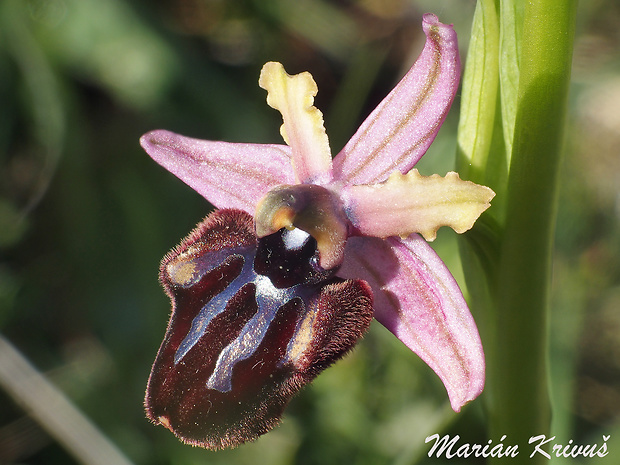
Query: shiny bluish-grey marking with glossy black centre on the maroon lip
<point x="281" y="268"/>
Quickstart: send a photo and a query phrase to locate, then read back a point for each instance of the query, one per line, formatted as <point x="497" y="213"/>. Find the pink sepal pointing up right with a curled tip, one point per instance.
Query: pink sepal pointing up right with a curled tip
<point x="400" y="130"/>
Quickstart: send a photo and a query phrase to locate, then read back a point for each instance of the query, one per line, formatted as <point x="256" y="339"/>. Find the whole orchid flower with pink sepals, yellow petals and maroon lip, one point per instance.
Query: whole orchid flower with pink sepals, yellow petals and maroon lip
<point x="332" y="242"/>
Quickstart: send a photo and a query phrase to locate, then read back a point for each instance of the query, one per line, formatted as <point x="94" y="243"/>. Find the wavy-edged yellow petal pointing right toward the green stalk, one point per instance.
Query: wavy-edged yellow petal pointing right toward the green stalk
<point x="413" y="203"/>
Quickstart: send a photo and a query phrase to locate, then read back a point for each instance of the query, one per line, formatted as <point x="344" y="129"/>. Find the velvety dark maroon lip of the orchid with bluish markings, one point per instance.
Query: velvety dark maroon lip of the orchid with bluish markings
<point x="252" y="322"/>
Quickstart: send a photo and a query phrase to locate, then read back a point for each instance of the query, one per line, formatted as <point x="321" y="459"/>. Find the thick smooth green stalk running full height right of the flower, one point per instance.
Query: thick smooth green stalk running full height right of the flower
<point x="520" y="393"/>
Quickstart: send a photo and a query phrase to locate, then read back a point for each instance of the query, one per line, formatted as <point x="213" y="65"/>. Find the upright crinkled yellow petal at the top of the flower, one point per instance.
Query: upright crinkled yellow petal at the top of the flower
<point x="303" y="129"/>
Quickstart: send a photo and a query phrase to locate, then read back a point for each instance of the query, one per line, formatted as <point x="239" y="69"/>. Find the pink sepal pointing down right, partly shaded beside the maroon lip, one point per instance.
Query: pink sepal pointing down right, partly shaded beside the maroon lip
<point x="418" y="300"/>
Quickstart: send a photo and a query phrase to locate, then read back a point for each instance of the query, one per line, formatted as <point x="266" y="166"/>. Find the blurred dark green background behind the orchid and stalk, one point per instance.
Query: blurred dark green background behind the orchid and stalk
<point x="85" y="215"/>
